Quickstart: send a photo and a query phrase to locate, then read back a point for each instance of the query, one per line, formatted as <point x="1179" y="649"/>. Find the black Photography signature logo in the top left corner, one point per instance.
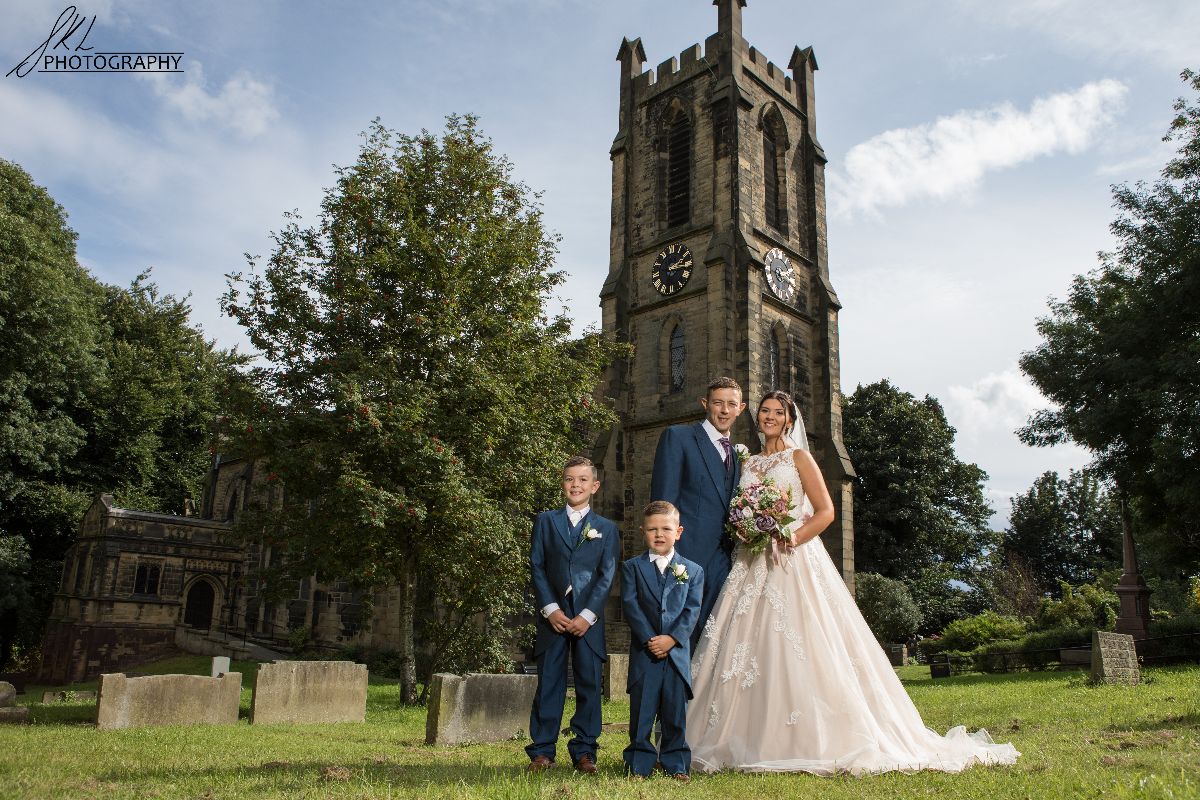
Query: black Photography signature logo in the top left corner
<point x="67" y="35"/>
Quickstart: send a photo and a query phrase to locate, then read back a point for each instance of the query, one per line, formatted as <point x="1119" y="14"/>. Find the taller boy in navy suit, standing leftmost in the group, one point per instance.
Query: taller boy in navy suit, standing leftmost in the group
<point x="573" y="561"/>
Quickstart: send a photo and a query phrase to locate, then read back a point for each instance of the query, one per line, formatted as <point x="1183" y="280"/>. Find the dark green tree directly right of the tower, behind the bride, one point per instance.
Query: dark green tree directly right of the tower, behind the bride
<point x="920" y="513"/>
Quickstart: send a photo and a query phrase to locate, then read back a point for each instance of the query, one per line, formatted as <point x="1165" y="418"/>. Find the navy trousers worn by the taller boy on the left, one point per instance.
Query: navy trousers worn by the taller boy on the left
<point x="547" y="717"/>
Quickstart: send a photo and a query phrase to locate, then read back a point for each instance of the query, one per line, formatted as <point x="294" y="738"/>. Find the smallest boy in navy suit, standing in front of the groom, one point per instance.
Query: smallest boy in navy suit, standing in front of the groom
<point x="662" y="594"/>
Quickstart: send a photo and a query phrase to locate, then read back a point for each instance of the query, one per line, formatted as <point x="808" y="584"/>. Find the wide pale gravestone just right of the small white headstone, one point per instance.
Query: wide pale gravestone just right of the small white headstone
<point x="309" y="693"/>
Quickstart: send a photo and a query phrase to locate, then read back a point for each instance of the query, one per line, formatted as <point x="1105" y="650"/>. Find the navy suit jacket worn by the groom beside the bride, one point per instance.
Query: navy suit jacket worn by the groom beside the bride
<point x="691" y="474"/>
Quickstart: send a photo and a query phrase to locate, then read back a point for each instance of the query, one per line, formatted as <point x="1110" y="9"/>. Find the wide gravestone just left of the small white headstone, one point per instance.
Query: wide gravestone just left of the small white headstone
<point x="167" y="700"/>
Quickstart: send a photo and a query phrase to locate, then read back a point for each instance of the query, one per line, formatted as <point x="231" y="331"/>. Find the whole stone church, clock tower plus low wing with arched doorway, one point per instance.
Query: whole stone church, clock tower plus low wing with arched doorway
<point x="718" y="267"/>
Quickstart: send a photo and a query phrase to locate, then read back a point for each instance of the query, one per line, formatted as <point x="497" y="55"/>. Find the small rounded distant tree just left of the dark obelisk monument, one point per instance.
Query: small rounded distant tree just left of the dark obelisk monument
<point x="1066" y="531"/>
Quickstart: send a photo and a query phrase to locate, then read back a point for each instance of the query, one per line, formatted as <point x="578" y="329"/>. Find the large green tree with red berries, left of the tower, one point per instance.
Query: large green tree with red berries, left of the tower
<point x="416" y="398"/>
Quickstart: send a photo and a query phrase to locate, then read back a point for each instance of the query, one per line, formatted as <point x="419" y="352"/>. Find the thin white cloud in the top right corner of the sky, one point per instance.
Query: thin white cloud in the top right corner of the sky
<point x="1166" y="32"/>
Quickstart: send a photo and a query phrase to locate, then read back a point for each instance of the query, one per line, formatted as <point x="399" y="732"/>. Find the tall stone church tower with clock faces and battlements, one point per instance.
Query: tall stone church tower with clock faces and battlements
<point x="719" y="261"/>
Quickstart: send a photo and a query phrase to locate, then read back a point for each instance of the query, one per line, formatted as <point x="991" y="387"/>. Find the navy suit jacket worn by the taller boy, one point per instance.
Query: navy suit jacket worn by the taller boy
<point x="559" y="561"/>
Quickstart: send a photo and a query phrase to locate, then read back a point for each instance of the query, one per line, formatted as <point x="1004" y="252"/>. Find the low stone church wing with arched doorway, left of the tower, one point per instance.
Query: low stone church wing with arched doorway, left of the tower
<point x="137" y="586"/>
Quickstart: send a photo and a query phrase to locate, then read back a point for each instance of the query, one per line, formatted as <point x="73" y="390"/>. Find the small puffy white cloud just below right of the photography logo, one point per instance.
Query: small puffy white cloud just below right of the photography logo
<point x="244" y="105"/>
